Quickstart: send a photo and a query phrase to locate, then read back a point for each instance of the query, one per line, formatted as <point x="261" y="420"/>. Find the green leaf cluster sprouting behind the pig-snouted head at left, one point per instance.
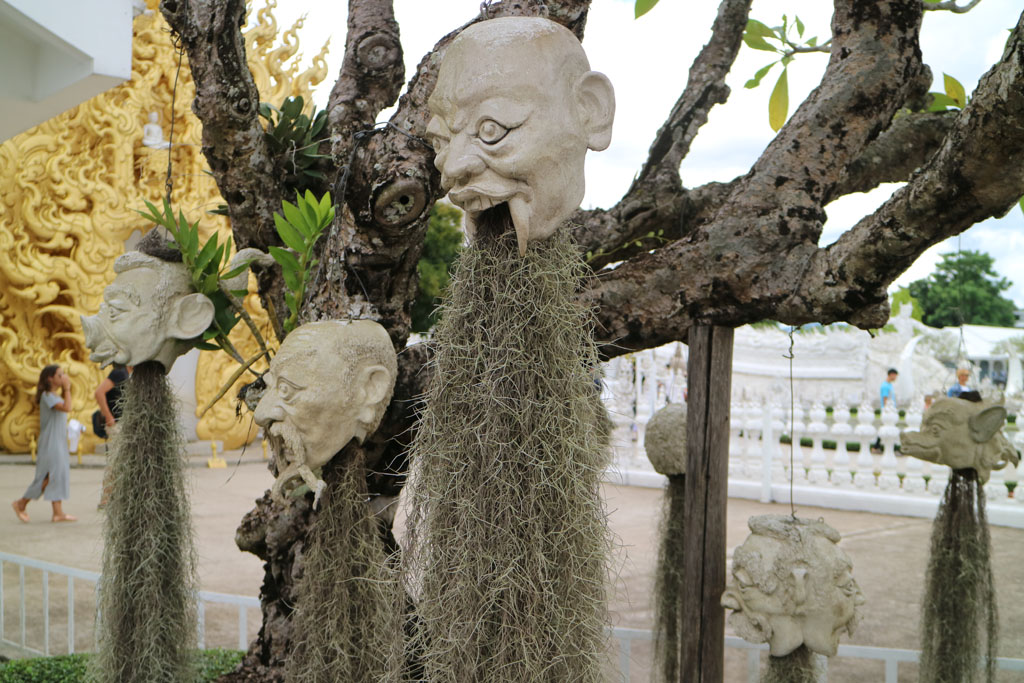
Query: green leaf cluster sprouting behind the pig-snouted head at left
<point x="207" y="265"/>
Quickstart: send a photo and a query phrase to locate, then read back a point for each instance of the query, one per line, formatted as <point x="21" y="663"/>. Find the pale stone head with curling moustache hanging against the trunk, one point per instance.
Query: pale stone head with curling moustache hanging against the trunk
<point x="330" y="382"/>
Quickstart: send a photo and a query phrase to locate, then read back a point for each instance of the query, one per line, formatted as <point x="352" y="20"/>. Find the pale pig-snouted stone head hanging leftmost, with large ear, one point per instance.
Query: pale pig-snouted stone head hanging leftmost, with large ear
<point x="150" y="313"/>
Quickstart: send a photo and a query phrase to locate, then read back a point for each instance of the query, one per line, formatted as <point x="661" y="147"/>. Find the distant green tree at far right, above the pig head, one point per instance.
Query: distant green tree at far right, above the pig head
<point x="964" y="289"/>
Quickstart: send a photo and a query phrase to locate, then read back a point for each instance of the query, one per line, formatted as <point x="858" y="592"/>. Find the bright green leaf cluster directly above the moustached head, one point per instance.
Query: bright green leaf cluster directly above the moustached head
<point x="300" y="229"/>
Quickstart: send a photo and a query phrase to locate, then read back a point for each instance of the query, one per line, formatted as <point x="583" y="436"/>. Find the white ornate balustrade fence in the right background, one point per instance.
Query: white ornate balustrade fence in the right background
<point x="847" y="475"/>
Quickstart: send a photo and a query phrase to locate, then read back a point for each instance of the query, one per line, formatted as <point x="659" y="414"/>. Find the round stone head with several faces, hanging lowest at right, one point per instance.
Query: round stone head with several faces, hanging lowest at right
<point x="792" y="586"/>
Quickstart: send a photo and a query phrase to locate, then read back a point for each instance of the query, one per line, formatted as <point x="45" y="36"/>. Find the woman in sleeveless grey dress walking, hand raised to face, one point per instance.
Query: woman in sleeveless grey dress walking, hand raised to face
<point x="53" y="459"/>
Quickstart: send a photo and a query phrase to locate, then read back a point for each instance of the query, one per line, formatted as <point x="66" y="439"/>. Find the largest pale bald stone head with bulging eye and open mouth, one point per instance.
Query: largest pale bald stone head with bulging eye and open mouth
<point x="516" y="110"/>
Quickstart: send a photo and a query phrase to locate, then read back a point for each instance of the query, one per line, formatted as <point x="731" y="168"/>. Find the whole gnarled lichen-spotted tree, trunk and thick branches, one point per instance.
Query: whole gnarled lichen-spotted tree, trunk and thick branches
<point x="729" y="253"/>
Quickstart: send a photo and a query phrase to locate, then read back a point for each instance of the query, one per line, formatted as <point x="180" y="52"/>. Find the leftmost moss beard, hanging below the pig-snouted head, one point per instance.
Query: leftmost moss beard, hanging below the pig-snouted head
<point x="148" y="622"/>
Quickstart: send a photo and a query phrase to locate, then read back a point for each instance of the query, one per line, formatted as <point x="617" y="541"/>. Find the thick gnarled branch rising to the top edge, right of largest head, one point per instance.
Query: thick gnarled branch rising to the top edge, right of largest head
<point x="745" y="262"/>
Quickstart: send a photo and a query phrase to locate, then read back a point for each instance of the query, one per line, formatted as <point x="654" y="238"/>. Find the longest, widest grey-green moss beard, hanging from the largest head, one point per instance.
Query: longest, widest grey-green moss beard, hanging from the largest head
<point x="507" y="544"/>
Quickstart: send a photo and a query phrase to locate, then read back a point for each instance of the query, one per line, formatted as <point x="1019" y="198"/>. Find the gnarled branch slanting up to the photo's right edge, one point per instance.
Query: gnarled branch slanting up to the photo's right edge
<point x="975" y="176"/>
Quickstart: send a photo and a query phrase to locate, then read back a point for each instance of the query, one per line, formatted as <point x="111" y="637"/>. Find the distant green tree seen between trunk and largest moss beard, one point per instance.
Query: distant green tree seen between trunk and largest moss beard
<point x="442" y="246"/>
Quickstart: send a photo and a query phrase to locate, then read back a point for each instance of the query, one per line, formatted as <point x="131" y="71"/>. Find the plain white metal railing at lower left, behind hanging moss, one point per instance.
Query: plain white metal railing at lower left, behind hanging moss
<point x="21" y="642"/>
